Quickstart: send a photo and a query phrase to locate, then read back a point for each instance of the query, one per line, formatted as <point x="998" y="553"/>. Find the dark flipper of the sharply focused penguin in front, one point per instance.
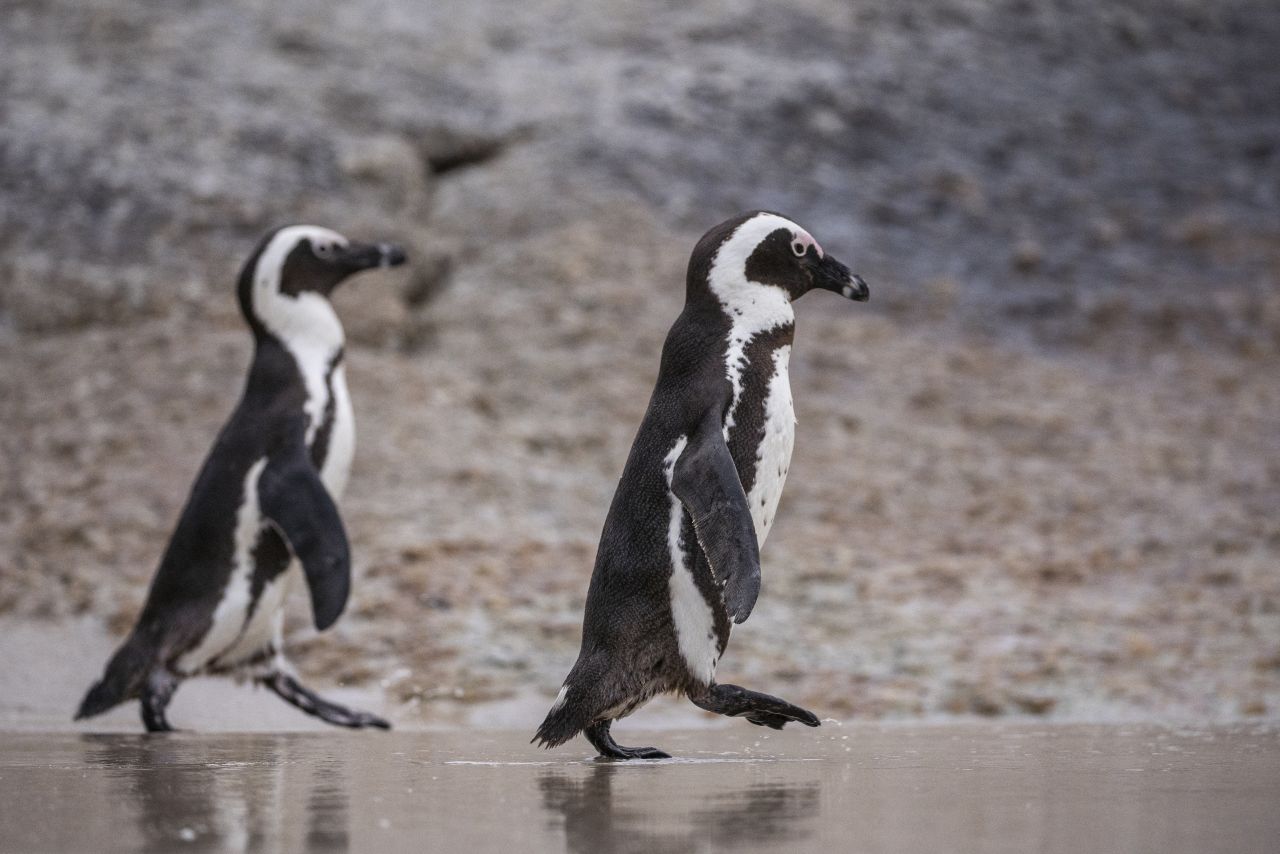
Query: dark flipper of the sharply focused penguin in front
<point x="706" y="482"/>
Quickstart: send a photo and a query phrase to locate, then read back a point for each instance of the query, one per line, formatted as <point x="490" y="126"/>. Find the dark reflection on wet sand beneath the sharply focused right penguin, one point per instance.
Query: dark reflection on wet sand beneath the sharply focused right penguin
<point x="749" y="816"/>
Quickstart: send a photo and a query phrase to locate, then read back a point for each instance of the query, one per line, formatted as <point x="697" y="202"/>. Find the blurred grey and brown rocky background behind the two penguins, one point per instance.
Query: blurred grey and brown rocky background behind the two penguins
<point x="1039" y="474"/>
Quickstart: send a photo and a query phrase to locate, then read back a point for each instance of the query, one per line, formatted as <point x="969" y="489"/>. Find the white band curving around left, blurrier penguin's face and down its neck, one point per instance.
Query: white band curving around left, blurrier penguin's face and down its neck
<point x="307" y="325"/>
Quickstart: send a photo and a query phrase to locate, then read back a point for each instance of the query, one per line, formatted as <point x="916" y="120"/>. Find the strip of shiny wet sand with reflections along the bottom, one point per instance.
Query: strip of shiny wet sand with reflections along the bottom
<point x="866" y="788"/>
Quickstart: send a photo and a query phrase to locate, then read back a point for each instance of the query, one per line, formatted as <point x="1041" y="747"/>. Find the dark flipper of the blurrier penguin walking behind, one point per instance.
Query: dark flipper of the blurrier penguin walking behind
<point x="296" y="501"/>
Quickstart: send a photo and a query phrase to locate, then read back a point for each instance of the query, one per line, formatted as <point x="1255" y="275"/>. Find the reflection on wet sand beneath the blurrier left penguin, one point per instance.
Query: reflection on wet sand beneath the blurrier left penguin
<point x="220" y="798"/>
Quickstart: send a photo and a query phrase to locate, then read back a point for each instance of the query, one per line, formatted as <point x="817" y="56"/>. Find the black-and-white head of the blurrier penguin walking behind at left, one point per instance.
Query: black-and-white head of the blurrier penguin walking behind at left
<point x="285" y="286"/>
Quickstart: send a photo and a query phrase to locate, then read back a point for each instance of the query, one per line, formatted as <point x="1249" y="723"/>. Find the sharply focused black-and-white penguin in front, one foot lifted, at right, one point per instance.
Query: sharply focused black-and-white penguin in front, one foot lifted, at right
<point x="679" y="559"/>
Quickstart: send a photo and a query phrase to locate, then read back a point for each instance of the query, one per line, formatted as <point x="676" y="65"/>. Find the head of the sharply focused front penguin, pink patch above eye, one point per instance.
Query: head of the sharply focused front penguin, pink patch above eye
<point x="761" y="255"/>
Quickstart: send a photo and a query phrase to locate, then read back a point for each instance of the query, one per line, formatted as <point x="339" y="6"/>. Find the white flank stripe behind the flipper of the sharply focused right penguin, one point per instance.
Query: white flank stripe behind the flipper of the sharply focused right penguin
<point x="692" y="615"/>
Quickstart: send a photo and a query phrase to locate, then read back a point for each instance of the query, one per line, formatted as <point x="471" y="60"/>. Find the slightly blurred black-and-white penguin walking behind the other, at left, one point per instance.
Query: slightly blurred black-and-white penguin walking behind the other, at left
<point x="264" y="497"/>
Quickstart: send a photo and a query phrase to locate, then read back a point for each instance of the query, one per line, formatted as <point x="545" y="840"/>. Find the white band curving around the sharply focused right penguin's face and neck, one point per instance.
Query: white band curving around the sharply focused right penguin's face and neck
<point x="752" y="308"/>
